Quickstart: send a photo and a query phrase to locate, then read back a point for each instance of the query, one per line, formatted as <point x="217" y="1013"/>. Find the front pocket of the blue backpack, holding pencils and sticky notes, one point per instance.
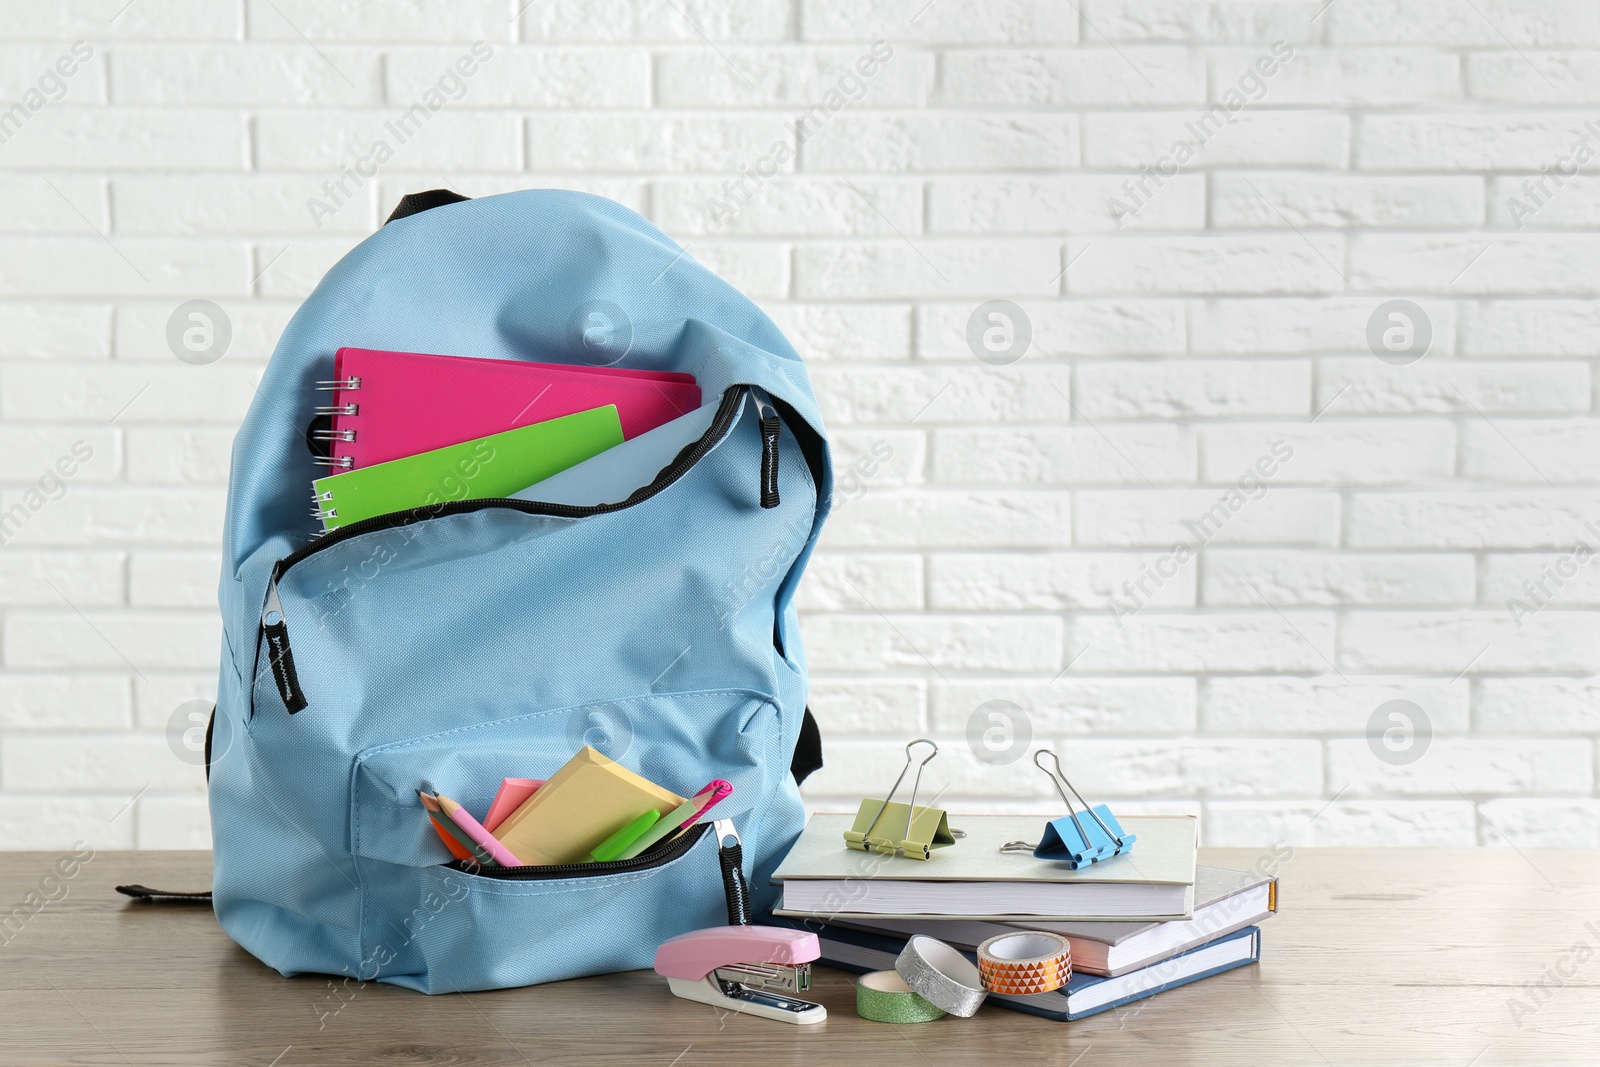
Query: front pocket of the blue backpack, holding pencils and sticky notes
<point x="434" y="924"/>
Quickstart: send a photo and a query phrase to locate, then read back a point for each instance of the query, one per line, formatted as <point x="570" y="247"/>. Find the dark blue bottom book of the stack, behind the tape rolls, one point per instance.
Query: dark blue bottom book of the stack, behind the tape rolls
<point x="1084" y="996"/>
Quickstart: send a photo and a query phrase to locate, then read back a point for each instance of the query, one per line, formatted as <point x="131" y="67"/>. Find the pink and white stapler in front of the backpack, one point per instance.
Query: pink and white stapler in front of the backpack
<point x="737" y="967"/>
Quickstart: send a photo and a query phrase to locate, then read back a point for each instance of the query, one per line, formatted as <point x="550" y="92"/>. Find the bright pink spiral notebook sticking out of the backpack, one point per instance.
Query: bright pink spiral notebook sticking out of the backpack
<point x="390" y="406"/>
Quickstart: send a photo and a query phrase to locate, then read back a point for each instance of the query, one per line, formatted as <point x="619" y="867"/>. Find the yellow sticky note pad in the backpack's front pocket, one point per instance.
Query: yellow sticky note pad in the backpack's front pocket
<point x="578" y="809"/>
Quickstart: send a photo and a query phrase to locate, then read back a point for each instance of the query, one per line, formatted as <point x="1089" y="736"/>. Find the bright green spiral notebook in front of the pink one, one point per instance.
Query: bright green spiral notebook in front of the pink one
<point x="498" y="465"/>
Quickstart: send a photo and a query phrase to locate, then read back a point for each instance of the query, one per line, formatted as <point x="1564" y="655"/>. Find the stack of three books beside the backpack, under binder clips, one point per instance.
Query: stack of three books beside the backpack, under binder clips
<point x="1138" y="924"/>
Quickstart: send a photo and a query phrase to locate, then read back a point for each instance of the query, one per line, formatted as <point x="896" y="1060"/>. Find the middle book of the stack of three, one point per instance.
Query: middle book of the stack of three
<point x="1225" y="901"/>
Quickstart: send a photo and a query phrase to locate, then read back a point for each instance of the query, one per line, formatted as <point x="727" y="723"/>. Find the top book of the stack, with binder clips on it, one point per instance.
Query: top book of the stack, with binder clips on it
<point x="977" y="881"/>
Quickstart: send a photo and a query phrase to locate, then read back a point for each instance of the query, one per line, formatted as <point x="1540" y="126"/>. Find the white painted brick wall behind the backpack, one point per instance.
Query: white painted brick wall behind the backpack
<point x="1006" y="533"/>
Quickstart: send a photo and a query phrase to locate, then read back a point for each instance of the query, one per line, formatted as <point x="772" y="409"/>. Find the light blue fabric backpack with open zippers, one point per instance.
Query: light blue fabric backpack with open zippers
<point x="462" y="644"/>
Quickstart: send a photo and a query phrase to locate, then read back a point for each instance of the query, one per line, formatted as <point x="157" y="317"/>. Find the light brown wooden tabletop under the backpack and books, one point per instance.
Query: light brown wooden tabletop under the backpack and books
<point x="1377" y="957"/>
